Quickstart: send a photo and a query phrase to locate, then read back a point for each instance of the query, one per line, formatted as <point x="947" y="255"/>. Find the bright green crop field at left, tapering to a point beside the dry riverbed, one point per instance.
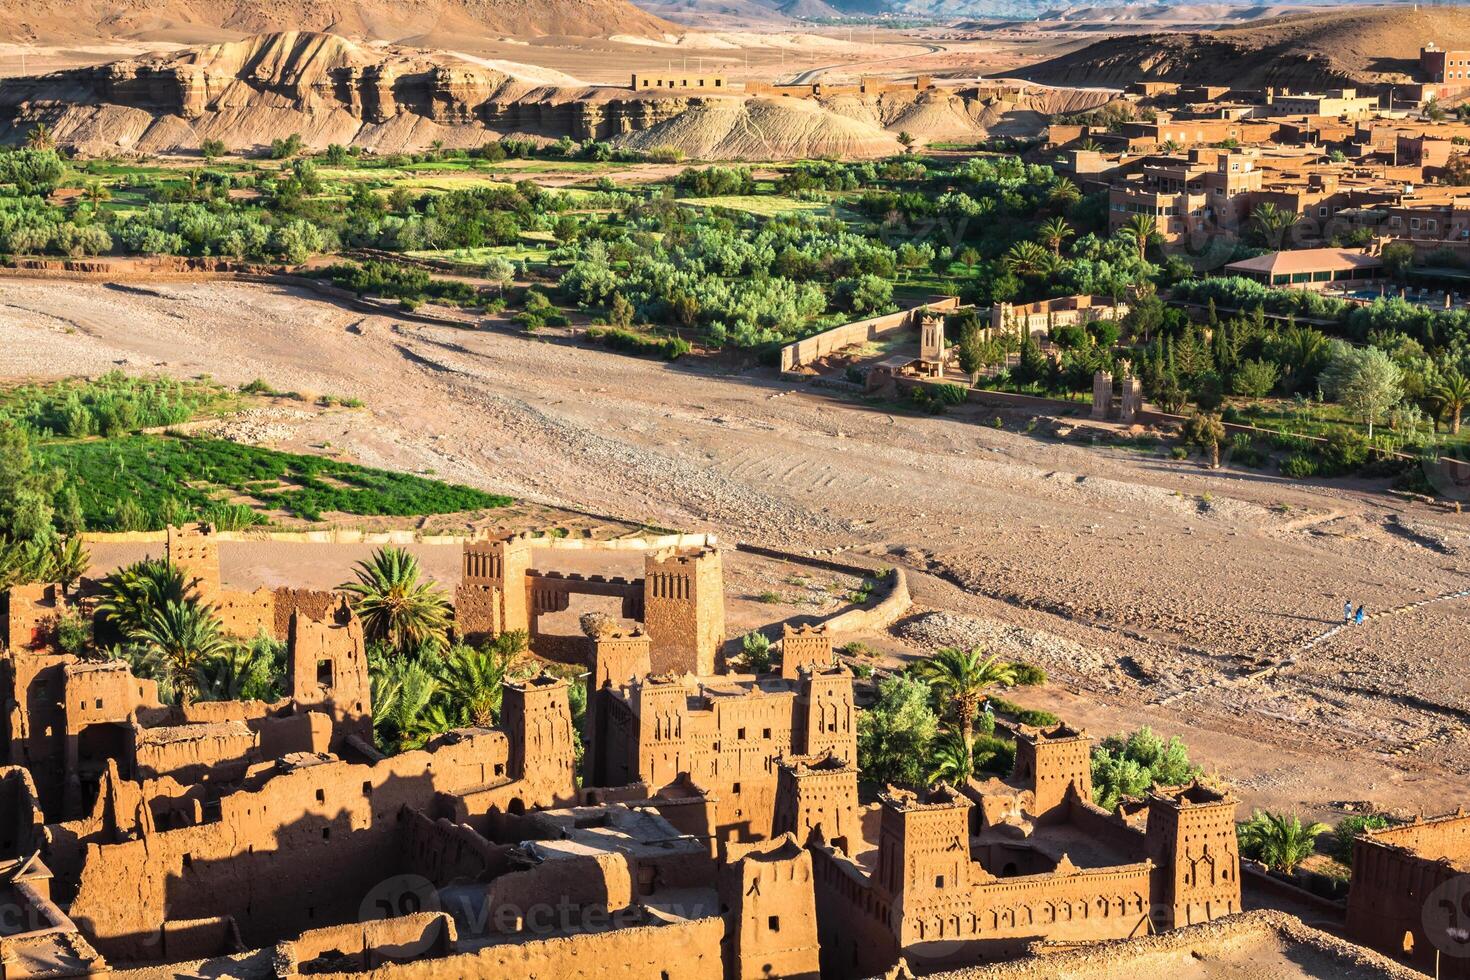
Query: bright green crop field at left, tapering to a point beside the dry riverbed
<point x="170" y="478"/>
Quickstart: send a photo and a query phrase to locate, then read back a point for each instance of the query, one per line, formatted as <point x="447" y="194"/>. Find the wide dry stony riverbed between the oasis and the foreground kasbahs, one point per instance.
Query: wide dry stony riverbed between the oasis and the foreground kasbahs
<point x="1153" y="591"/>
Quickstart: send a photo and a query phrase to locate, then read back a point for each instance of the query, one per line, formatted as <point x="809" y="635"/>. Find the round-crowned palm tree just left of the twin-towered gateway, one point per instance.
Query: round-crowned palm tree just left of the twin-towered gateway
<point x="395" y="606"/>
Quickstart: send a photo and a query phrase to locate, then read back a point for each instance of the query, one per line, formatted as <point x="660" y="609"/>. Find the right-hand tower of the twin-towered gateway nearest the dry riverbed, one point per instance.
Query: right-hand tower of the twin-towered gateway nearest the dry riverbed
<point x="684" y="610"/>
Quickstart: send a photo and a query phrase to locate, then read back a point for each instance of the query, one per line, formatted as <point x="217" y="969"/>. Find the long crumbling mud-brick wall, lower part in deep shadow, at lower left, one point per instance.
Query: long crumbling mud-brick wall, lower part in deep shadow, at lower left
<point x="339" y="819"/>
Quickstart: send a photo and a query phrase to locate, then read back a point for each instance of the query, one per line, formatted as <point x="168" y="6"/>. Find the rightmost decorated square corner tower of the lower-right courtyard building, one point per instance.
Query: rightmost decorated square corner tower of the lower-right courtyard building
<point x="1193" y="844"/>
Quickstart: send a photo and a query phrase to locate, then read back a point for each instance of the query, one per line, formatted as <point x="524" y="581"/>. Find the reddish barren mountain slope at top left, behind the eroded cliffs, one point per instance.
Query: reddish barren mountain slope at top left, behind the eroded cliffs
<point x="192" y="21"/>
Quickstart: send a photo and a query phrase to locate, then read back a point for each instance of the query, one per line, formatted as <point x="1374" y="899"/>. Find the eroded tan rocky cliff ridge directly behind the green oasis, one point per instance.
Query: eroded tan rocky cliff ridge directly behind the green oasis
<point x="392" y="99"/>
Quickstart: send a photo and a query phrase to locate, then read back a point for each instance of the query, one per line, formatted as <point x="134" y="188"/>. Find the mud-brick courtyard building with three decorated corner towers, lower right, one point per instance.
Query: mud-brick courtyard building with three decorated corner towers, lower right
<point x="964" y="875"/>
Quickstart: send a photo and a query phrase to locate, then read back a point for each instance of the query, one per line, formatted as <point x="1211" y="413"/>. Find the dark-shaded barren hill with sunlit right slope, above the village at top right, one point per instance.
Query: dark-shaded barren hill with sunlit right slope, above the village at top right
<point x="1359" y="46"/>
